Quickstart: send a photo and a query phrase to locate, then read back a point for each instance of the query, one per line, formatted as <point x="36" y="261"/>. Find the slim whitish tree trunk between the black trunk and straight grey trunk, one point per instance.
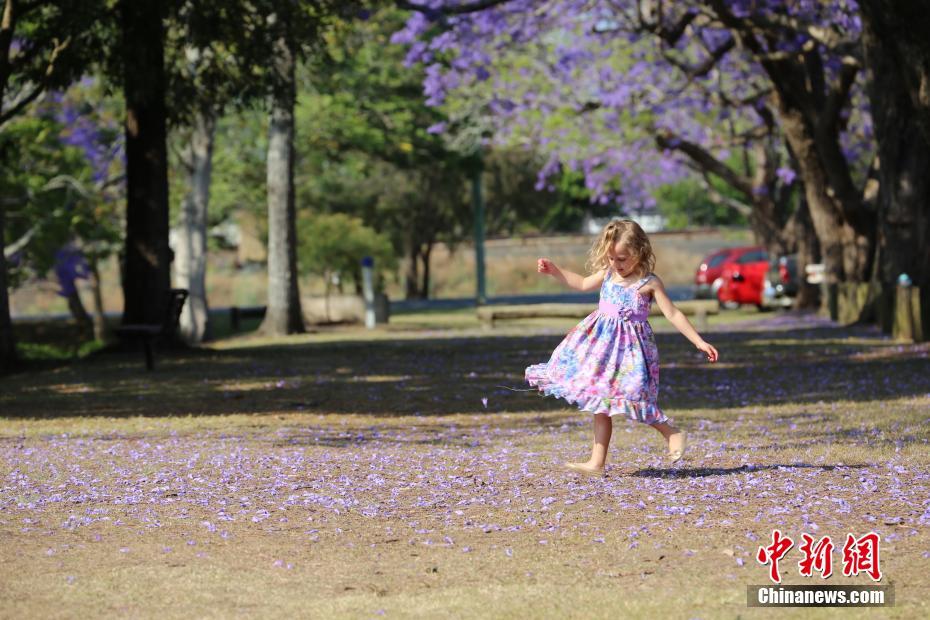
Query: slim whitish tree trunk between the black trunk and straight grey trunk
<point x="191" y="254"/>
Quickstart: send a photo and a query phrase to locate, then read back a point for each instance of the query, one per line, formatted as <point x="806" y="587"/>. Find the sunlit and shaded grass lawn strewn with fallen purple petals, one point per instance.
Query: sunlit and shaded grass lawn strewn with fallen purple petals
<point x="396" y="473"/>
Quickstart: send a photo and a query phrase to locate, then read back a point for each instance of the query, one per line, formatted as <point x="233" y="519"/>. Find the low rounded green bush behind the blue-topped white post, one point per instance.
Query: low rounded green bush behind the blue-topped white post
<point x="335" y="243"/>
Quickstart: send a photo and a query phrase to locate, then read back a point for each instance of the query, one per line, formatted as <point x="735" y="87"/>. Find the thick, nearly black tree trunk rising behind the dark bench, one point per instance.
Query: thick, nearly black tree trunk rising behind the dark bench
<point x="147" y="254"/>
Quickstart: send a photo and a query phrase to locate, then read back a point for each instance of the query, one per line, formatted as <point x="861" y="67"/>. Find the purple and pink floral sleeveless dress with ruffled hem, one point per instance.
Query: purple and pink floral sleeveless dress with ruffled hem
<point x="609" y="362"/>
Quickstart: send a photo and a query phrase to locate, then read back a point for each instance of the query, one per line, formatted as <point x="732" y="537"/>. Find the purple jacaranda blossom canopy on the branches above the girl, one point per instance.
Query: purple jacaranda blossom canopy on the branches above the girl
<point x="576" y="80"/>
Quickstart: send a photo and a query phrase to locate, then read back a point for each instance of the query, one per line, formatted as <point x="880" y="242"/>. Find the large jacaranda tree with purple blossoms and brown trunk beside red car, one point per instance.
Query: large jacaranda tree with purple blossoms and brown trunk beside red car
<point x="757" y="94"/>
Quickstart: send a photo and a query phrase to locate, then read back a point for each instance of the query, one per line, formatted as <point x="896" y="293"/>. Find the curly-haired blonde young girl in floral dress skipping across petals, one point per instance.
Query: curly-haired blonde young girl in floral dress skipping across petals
<point x="608" y="364"/>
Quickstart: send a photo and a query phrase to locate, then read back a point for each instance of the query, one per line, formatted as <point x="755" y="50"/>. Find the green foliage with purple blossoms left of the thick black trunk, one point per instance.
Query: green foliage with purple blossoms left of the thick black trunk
<point x="60" y="180"/>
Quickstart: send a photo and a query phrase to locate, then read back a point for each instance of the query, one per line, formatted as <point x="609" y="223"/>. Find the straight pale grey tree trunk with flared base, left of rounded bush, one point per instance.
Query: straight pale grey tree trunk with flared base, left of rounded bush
<point x="283" y="315"/>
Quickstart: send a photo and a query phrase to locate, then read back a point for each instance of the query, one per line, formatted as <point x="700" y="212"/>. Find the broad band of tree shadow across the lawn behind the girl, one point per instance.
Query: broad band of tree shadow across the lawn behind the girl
<point x="442" y="375"/>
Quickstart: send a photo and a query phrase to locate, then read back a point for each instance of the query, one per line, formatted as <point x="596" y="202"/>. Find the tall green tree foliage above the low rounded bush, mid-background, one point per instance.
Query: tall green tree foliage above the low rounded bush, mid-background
<point x="365" y="148"/>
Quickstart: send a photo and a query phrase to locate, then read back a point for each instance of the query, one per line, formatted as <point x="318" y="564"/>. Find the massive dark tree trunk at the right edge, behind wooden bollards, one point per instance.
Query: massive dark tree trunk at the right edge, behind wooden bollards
<point x="903" y="148"/>
